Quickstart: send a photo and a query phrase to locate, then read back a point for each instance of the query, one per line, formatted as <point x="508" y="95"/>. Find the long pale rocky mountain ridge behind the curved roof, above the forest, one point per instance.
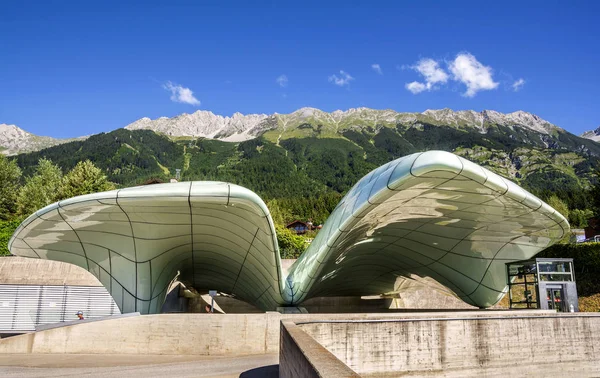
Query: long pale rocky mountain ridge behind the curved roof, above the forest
<point x="240" y="127"/>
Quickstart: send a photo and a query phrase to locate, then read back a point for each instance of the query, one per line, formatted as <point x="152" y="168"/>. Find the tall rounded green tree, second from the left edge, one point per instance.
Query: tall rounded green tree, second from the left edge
<point x="41" y="189"/>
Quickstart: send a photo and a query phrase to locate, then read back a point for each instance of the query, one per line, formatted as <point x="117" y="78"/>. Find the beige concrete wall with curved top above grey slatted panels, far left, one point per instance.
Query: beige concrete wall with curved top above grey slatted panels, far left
<point x="25" y="271"/>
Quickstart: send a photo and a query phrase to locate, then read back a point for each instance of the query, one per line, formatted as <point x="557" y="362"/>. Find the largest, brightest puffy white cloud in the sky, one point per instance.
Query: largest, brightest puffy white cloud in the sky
<point x="469" y="71"/>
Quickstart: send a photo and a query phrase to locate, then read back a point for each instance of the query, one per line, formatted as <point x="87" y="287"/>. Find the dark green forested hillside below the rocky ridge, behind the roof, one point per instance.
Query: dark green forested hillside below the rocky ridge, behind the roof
<point x="310" y="165"/>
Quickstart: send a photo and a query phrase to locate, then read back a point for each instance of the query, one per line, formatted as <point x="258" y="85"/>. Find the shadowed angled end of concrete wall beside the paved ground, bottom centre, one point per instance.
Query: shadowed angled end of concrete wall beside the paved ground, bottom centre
<point x="301" y="356"/>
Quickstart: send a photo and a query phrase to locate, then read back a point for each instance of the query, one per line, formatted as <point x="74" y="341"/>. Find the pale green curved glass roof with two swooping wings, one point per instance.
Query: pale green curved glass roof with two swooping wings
<point x="430" y="215"/>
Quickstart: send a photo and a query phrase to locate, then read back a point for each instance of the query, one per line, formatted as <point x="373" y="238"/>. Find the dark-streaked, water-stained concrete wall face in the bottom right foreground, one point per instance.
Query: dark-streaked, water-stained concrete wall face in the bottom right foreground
<point x="533" y="346"/>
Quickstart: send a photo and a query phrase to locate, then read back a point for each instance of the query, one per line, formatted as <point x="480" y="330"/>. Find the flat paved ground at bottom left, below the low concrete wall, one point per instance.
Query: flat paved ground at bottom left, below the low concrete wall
<point x="97" y="366"/>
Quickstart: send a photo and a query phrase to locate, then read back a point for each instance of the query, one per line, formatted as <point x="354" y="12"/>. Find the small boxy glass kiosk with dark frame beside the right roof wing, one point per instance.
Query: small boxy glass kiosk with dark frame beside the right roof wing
<point x="547" y="284"/>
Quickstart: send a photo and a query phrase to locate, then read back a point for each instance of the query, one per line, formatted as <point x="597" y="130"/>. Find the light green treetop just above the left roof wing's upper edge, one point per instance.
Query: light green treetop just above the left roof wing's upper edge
<point x="85" y="178"/>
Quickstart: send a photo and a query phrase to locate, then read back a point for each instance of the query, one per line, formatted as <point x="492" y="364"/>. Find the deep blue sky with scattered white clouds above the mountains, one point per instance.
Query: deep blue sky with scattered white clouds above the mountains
<point x="70" y="69"/>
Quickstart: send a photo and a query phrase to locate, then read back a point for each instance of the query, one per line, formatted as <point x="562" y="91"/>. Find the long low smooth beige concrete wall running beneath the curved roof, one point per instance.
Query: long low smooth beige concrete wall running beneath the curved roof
<point x="195" y="334"/>
